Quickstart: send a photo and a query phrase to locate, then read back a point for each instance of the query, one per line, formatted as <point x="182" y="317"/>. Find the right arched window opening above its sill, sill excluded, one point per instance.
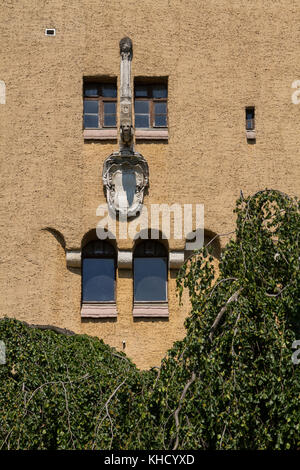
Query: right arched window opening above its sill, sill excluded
<point x="150" y="272"/>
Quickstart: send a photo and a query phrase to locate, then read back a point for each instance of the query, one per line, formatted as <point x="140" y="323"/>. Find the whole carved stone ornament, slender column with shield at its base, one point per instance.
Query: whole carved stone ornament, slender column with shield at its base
<point x="125" y="173"/>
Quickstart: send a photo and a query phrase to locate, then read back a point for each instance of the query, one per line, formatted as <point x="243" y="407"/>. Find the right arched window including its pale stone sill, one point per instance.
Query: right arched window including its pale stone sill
<point x="150" y="279"/>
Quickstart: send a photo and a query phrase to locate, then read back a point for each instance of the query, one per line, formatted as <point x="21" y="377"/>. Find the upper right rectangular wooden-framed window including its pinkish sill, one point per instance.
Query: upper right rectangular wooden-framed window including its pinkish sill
<point x="151" y="109"/>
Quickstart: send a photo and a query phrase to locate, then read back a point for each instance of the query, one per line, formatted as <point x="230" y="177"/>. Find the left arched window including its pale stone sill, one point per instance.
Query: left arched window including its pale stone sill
<point x="98" y="279"/>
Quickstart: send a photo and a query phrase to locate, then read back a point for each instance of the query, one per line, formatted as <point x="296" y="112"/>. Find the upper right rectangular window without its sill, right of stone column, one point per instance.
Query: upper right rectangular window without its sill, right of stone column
<point x="150" y="105"/>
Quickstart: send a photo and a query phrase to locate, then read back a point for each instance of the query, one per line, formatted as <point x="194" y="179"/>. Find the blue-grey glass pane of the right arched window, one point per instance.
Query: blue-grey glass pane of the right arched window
<point x="150" y="279"/>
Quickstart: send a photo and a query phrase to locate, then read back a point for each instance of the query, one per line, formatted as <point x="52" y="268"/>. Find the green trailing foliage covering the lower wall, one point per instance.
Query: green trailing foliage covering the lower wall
<point x="229" y="384"/>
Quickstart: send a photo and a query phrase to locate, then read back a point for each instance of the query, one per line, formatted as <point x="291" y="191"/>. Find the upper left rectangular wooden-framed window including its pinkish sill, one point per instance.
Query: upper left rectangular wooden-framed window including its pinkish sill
<point x="100" y="110"/>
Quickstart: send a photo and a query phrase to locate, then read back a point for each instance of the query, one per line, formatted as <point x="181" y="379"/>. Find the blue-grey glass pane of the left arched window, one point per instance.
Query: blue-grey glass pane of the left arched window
<point x="98" y="276"/>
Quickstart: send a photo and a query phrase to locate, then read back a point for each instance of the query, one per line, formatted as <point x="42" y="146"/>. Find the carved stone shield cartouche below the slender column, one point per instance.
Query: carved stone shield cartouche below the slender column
<point x="125" y="179"/>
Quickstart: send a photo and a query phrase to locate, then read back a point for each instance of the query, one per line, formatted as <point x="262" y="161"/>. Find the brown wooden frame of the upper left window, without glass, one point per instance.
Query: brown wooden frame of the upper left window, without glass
<point x="101" y="100"/>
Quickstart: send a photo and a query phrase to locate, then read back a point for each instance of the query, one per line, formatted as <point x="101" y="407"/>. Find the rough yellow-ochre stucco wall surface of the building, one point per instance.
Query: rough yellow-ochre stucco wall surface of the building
<point x="219" y="56"/>
